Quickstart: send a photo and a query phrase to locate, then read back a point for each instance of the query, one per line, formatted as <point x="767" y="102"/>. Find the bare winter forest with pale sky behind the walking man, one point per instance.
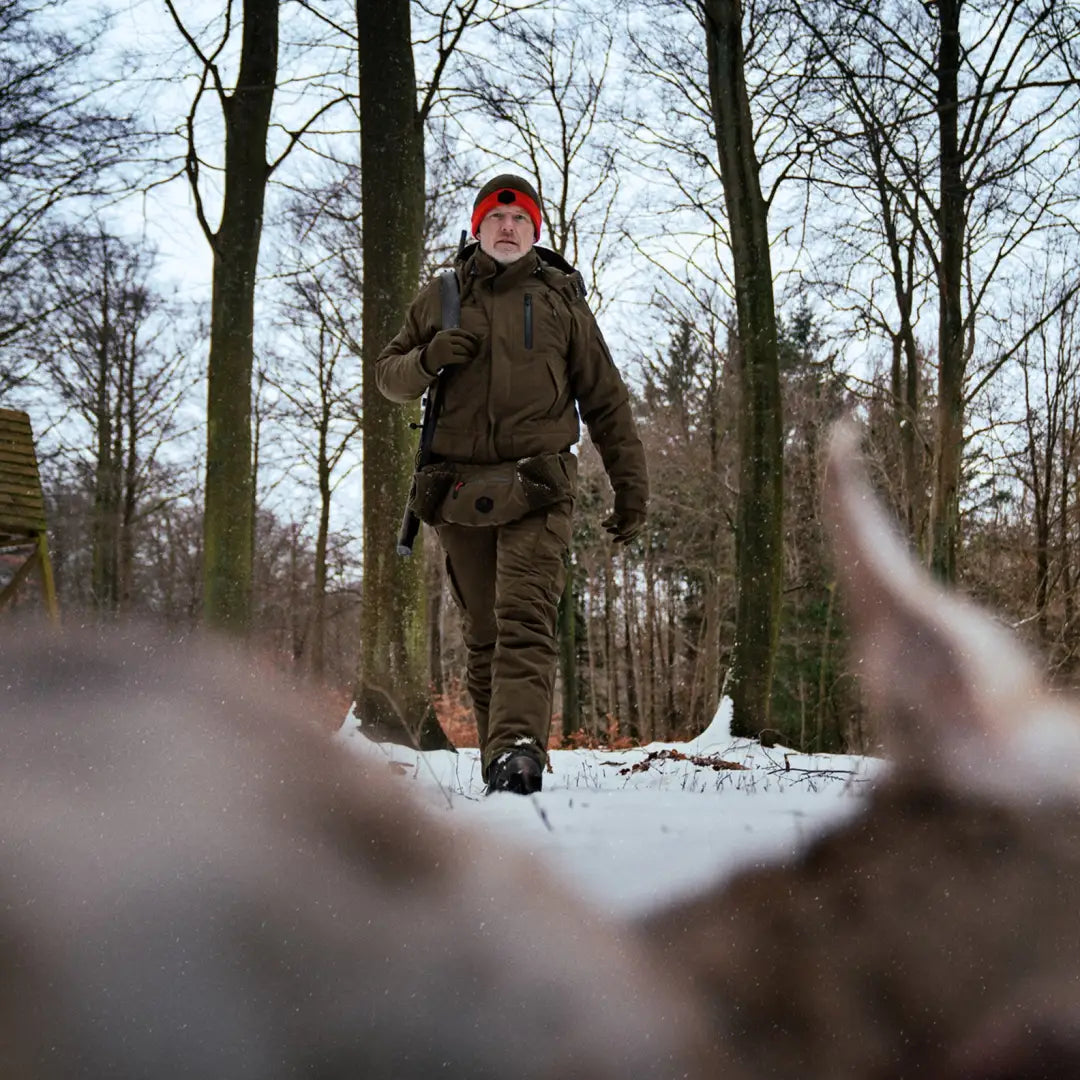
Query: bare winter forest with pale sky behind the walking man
<point x="201" y="202"/>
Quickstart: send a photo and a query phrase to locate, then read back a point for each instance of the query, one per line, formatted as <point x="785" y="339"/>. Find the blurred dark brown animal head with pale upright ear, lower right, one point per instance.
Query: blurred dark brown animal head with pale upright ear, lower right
<point x="936" y="936"/>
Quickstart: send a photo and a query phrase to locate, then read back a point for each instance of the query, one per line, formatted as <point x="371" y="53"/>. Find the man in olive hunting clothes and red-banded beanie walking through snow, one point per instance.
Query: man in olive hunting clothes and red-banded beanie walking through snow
<point x="512" y="377"/>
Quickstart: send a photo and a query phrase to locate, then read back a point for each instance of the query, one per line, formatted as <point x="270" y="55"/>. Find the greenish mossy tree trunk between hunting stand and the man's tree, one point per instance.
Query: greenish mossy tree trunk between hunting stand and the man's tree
<point x="229" y="515"/>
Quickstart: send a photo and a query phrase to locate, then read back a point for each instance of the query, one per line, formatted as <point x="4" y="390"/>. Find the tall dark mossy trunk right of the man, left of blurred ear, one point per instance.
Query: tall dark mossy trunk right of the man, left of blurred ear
<point x="760" y="514"/>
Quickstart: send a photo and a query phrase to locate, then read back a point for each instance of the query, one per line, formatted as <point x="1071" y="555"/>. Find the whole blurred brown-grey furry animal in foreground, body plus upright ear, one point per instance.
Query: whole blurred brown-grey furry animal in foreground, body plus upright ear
<point x="197" y="883"/>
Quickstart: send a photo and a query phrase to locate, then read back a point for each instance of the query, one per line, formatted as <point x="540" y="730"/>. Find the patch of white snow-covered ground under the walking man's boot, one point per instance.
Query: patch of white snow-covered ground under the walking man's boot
<point x="634" y="829"/>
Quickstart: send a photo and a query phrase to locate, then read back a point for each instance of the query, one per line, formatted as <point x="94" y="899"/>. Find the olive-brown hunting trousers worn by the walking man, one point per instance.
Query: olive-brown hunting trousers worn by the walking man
<point x="507" y="580"/>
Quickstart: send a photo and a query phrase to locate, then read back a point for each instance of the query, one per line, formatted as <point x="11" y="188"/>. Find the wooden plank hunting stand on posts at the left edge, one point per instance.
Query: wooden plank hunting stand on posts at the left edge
<point x="23" y="509"/>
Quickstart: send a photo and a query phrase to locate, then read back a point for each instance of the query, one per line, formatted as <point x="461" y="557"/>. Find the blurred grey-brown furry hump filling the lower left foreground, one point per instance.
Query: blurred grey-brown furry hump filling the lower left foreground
<point x="198" y="883"/>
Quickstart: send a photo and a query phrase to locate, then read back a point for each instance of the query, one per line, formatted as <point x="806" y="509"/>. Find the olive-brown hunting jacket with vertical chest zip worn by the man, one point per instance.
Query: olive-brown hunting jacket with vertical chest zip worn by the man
<point x="542" y="361"/>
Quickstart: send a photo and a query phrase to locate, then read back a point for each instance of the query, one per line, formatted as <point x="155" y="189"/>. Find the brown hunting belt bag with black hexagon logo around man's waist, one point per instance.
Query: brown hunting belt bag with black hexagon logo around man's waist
<point x="451" y="494"/>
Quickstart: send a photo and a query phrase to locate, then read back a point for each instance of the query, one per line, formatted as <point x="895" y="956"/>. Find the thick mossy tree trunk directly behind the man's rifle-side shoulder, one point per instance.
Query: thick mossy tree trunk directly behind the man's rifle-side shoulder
<point x="391" y="691"/>
